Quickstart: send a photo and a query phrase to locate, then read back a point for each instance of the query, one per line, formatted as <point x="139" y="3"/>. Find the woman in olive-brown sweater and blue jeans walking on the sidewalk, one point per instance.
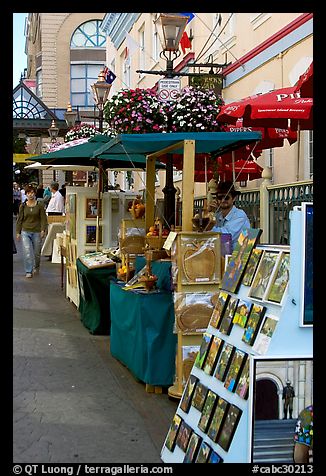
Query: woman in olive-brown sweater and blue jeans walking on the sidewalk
<point x="31" y="226"/>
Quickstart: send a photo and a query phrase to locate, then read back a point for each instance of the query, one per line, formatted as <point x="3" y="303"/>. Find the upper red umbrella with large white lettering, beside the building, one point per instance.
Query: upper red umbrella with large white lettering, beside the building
<point x="272" y="109"/>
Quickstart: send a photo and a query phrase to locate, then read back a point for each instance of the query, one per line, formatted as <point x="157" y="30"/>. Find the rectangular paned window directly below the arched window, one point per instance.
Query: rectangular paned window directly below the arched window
<point x="82" y="76"/>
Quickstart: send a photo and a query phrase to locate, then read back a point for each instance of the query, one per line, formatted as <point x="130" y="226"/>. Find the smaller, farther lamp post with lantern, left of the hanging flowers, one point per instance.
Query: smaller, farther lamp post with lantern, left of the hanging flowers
<point x="101" y="91"/>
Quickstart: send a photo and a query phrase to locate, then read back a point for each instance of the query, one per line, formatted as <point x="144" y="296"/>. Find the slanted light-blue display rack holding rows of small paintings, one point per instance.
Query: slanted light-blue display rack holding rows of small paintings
<point x="213" y="421"/>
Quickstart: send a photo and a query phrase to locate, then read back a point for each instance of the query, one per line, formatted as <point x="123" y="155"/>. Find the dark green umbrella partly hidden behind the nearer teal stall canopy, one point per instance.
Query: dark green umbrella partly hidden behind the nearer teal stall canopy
<point x="82" y="154"/>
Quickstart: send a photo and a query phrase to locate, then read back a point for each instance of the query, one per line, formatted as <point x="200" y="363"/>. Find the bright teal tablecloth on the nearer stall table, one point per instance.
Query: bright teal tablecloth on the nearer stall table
<point x="142" y="334"/>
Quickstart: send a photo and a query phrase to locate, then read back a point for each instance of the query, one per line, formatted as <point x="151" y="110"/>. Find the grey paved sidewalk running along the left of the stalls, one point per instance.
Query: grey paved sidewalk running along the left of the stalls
<point x="73" y="402"/>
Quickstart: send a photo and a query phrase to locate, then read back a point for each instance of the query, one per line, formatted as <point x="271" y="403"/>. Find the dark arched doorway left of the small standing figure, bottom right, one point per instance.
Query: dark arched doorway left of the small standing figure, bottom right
<point x="266" y="405"/>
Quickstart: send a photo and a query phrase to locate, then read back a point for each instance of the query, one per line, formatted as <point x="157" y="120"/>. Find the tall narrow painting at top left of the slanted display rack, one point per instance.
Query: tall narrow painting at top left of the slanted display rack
<point x="246" y="242"/>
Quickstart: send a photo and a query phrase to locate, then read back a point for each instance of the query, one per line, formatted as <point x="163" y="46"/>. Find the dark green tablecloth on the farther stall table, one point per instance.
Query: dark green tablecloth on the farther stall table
<point x="94" y="297"/>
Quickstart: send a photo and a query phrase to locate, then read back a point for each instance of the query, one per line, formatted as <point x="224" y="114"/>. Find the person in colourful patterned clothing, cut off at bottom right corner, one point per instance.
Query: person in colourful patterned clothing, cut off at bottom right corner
<point x="303" y="436"/>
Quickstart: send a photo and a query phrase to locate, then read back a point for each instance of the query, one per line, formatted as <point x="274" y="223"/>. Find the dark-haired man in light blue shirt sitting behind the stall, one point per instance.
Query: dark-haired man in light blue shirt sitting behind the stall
<point x="229" y="218"/>
